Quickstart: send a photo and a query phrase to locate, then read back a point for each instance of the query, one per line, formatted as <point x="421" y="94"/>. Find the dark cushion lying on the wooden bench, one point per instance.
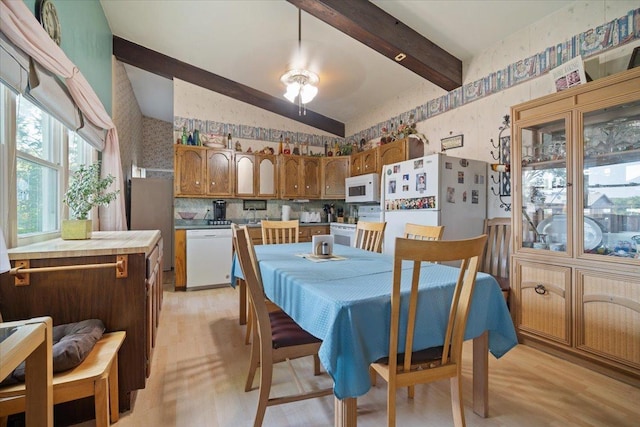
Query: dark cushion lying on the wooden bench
<point x="72" y="342"/>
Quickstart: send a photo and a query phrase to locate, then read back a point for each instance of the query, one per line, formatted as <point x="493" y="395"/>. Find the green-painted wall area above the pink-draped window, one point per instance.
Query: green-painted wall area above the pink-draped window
<point x="87" y="41"/>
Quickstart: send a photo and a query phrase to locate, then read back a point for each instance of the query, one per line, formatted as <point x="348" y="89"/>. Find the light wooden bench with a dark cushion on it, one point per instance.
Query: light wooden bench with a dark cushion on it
<point x="96" y="376"/>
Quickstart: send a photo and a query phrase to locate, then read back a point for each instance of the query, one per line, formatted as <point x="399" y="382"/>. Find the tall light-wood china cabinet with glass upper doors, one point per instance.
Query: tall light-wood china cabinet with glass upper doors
<point x="575" y="166"/>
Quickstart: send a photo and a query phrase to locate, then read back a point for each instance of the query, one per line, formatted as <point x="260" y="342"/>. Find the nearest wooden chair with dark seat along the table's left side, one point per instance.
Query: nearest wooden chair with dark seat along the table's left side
<point x="277" y="337"/>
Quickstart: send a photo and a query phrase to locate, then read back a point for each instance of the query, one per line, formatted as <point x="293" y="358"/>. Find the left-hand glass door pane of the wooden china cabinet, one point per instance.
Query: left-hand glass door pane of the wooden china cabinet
<point x="544" y="196"/>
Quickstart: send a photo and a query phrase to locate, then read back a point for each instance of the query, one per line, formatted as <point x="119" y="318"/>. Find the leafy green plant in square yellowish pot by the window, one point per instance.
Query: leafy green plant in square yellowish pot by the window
<point x="86" y="191"/>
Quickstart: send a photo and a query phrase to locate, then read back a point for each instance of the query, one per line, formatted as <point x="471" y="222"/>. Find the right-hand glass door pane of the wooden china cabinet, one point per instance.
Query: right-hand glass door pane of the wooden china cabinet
<point x="611" y="181"/>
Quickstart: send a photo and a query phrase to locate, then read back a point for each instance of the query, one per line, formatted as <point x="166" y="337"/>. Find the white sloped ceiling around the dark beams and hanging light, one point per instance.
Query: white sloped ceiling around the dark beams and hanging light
<point x="255" y="42"/>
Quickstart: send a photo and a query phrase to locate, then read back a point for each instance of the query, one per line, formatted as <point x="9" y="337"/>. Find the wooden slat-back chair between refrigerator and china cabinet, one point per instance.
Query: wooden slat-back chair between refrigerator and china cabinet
<point x="495" y="259"/>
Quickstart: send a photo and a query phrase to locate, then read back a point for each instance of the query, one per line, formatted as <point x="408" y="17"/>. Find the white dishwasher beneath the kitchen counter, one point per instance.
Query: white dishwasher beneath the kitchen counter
<point x="209" y="257"/>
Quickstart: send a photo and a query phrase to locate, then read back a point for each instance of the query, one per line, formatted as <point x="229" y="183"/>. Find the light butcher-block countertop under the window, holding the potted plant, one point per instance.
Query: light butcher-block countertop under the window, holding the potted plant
<point x="101" y="243"/>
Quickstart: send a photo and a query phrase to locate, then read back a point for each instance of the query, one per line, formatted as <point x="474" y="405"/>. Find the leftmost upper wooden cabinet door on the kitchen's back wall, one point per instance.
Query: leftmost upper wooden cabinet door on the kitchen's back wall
<point x="189" y="168"/>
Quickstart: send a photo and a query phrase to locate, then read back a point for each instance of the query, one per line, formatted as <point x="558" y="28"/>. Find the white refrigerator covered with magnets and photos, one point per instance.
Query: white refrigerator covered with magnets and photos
<point x="434" y="190"/>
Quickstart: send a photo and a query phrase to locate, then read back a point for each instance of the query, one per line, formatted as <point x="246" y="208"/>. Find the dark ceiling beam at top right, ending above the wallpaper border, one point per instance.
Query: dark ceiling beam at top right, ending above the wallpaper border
<point x="367" y="23"/>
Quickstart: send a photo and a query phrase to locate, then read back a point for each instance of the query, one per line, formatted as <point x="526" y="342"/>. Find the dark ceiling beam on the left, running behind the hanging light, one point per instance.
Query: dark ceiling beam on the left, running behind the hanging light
<point x="168" y="67"/>
